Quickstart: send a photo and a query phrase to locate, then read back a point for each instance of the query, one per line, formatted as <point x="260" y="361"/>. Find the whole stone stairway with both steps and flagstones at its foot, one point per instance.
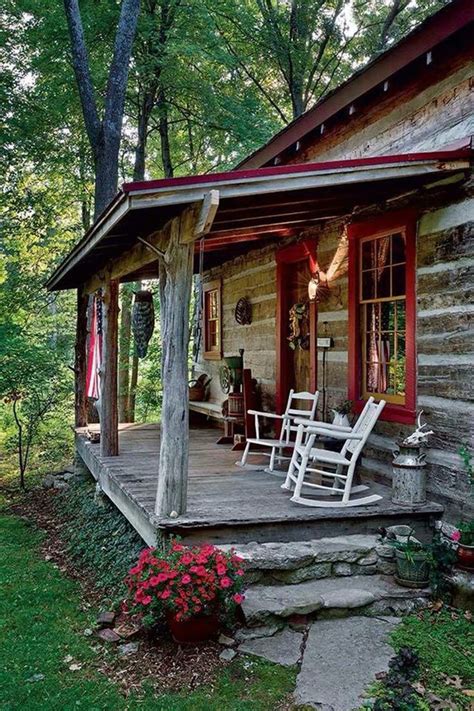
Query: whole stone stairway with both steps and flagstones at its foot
<point x="327" y="606"/>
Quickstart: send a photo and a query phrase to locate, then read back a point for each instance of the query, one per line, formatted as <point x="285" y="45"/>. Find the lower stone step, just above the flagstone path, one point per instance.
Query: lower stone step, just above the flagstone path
<point x="330" y="597"/>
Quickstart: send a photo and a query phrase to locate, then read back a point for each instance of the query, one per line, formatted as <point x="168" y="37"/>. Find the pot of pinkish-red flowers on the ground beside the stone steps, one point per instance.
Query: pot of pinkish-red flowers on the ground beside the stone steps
<point x="189" y="588"/>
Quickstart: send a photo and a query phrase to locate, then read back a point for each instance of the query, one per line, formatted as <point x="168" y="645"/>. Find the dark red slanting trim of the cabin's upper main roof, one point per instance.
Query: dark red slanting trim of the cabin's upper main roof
<point x="440" y="26"/>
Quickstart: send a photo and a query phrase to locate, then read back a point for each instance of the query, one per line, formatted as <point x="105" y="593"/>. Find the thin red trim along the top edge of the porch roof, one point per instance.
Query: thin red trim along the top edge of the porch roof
<point x="464" y="151"/>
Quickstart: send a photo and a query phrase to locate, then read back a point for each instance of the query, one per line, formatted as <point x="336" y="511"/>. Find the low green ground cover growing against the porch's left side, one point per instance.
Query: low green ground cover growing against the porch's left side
<point x="99" y="537"/>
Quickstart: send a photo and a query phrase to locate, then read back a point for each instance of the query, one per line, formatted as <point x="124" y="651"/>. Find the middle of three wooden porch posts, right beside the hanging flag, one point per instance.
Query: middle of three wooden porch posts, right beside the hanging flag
<point x="108" y="379"/>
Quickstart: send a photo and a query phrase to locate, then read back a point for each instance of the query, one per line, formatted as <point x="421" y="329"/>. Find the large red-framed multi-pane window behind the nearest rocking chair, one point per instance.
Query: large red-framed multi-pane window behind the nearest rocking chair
<point x="382" y="315"/>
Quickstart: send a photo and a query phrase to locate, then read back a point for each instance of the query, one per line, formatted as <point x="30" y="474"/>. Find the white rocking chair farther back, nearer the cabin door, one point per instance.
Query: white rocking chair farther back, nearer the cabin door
<point x="288" y="427"/>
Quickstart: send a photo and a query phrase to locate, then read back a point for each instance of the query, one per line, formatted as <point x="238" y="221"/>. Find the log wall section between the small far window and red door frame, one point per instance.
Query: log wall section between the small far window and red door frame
<point x="252" y="276"/>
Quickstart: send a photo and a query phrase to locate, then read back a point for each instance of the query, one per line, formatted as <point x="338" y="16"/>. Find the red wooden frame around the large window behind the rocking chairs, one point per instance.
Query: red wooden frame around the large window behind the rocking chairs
<point x="405" y="221"/>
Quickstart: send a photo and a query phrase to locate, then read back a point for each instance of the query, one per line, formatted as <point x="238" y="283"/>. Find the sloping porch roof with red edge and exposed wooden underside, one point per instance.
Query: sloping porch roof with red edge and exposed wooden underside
<point x="259" y="204"/>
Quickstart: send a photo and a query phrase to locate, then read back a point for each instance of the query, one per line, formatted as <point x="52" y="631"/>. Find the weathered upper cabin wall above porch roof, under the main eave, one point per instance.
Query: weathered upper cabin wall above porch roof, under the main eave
<point x="434" y="110"/>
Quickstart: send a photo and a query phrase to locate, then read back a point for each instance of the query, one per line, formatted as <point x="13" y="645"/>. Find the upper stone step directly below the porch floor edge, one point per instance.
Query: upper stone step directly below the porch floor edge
<point x="298" y="561"/>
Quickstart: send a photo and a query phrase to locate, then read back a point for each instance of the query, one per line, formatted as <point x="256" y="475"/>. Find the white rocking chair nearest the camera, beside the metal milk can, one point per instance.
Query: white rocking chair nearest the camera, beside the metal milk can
<point x="331" y="465"/>
